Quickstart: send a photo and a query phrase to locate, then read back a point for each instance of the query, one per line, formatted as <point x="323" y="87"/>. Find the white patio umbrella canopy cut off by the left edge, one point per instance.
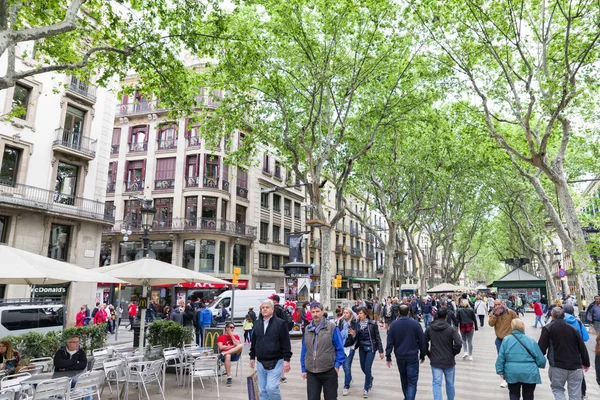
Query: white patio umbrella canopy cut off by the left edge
<point x="20" y="267"/>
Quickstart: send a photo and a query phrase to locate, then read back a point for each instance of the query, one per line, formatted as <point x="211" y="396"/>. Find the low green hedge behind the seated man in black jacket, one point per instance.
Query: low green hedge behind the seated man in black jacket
<point x="34" y="345"/>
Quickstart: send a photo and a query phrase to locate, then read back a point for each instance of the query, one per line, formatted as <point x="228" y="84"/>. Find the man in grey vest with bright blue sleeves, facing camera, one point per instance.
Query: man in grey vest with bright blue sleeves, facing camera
<point x="321" y="356"/>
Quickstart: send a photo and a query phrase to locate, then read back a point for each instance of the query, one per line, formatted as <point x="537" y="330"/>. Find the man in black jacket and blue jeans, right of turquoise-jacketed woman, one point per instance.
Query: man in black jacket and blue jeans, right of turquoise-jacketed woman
<point x="566" y="354"/>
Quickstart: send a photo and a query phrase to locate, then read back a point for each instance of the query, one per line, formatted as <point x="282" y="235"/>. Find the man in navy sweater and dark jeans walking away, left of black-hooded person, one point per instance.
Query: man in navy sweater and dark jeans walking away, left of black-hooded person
<point x="405" y="338"/>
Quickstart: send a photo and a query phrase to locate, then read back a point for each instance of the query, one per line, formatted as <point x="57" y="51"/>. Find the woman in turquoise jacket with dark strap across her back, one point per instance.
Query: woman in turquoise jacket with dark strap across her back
<point x="519" y="361"/>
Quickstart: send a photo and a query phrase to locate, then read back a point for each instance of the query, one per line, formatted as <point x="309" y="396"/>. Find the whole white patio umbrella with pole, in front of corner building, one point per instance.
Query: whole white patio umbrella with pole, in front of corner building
<point x="147" y="272"/>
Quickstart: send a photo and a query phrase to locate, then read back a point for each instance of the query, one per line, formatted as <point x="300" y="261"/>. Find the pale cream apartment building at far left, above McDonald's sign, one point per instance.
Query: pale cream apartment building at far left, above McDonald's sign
<point x="53" y="163"/>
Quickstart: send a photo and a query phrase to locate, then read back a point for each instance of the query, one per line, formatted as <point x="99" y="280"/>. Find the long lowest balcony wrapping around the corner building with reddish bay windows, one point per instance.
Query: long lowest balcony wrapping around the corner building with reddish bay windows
<point x="192" y="225"/>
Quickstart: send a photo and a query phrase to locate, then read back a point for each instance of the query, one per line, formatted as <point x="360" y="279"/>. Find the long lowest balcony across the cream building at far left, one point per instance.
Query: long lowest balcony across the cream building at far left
<point x="48" y="200"/>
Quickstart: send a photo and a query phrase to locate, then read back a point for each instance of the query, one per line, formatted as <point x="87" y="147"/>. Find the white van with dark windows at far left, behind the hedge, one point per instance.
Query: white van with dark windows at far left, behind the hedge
<point x="16" y="319"/>
